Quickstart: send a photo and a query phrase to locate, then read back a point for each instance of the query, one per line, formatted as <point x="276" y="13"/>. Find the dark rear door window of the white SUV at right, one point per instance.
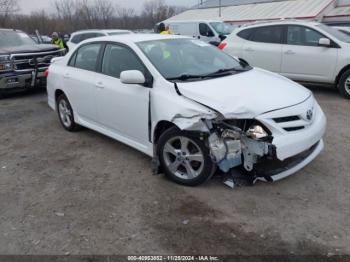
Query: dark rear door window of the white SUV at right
<point x="268" y="34"/>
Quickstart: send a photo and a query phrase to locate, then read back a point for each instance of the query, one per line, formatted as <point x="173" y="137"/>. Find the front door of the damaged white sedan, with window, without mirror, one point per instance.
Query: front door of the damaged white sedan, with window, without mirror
<point x="123" y="108"/>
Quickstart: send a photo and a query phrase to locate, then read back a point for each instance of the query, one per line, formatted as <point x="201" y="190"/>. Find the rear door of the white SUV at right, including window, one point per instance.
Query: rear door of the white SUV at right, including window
<point x="264" y="48"/>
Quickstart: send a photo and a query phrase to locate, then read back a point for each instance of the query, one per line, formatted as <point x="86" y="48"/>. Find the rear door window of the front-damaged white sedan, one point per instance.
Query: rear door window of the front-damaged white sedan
<point x="87" y="56"/>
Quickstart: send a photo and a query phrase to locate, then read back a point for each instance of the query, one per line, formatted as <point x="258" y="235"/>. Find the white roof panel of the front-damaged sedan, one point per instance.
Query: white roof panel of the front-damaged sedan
<point x="135" y="38"/>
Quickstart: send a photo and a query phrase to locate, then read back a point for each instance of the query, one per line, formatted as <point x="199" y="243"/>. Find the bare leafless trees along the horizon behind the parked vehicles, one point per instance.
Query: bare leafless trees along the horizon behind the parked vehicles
<point x="72" y="15"/>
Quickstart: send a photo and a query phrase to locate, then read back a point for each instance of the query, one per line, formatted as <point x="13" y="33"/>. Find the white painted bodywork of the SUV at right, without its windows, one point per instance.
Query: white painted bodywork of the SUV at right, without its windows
<point x="315" y="64"/>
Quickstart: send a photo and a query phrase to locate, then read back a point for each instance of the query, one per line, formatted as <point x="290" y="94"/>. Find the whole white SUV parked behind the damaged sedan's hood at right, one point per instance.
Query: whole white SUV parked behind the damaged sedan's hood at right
<point x="307" y="52"/>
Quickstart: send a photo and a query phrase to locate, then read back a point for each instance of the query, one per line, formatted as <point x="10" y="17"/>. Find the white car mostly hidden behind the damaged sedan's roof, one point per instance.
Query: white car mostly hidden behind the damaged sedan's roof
<point x="80" y="36"/>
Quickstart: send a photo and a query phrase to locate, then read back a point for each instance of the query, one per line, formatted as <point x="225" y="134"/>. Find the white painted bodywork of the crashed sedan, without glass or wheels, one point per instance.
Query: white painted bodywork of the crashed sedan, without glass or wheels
<point x="130" y="113"/>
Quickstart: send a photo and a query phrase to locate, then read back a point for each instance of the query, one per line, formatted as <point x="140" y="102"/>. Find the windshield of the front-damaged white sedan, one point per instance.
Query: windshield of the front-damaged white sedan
<point x="184" y="59"/>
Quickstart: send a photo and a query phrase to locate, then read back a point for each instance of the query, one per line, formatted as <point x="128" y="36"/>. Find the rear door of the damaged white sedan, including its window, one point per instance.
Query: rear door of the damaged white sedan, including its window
<point x="79" y="80"/>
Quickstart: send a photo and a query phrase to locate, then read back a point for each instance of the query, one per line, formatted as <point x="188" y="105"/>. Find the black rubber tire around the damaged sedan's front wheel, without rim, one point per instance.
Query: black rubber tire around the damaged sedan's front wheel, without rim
<point x="208" y="163"/>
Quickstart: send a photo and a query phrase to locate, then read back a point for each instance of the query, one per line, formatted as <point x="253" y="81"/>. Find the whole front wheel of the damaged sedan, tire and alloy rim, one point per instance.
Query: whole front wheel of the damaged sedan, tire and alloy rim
<point x="185" y="158"/>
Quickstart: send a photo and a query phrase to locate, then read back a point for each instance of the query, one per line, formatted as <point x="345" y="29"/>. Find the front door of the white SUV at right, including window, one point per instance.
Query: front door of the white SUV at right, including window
<point x="302" y="57"/>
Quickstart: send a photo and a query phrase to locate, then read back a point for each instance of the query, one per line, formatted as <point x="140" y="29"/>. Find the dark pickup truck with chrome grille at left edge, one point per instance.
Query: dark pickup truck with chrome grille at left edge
<point x="22" y="61"/>
